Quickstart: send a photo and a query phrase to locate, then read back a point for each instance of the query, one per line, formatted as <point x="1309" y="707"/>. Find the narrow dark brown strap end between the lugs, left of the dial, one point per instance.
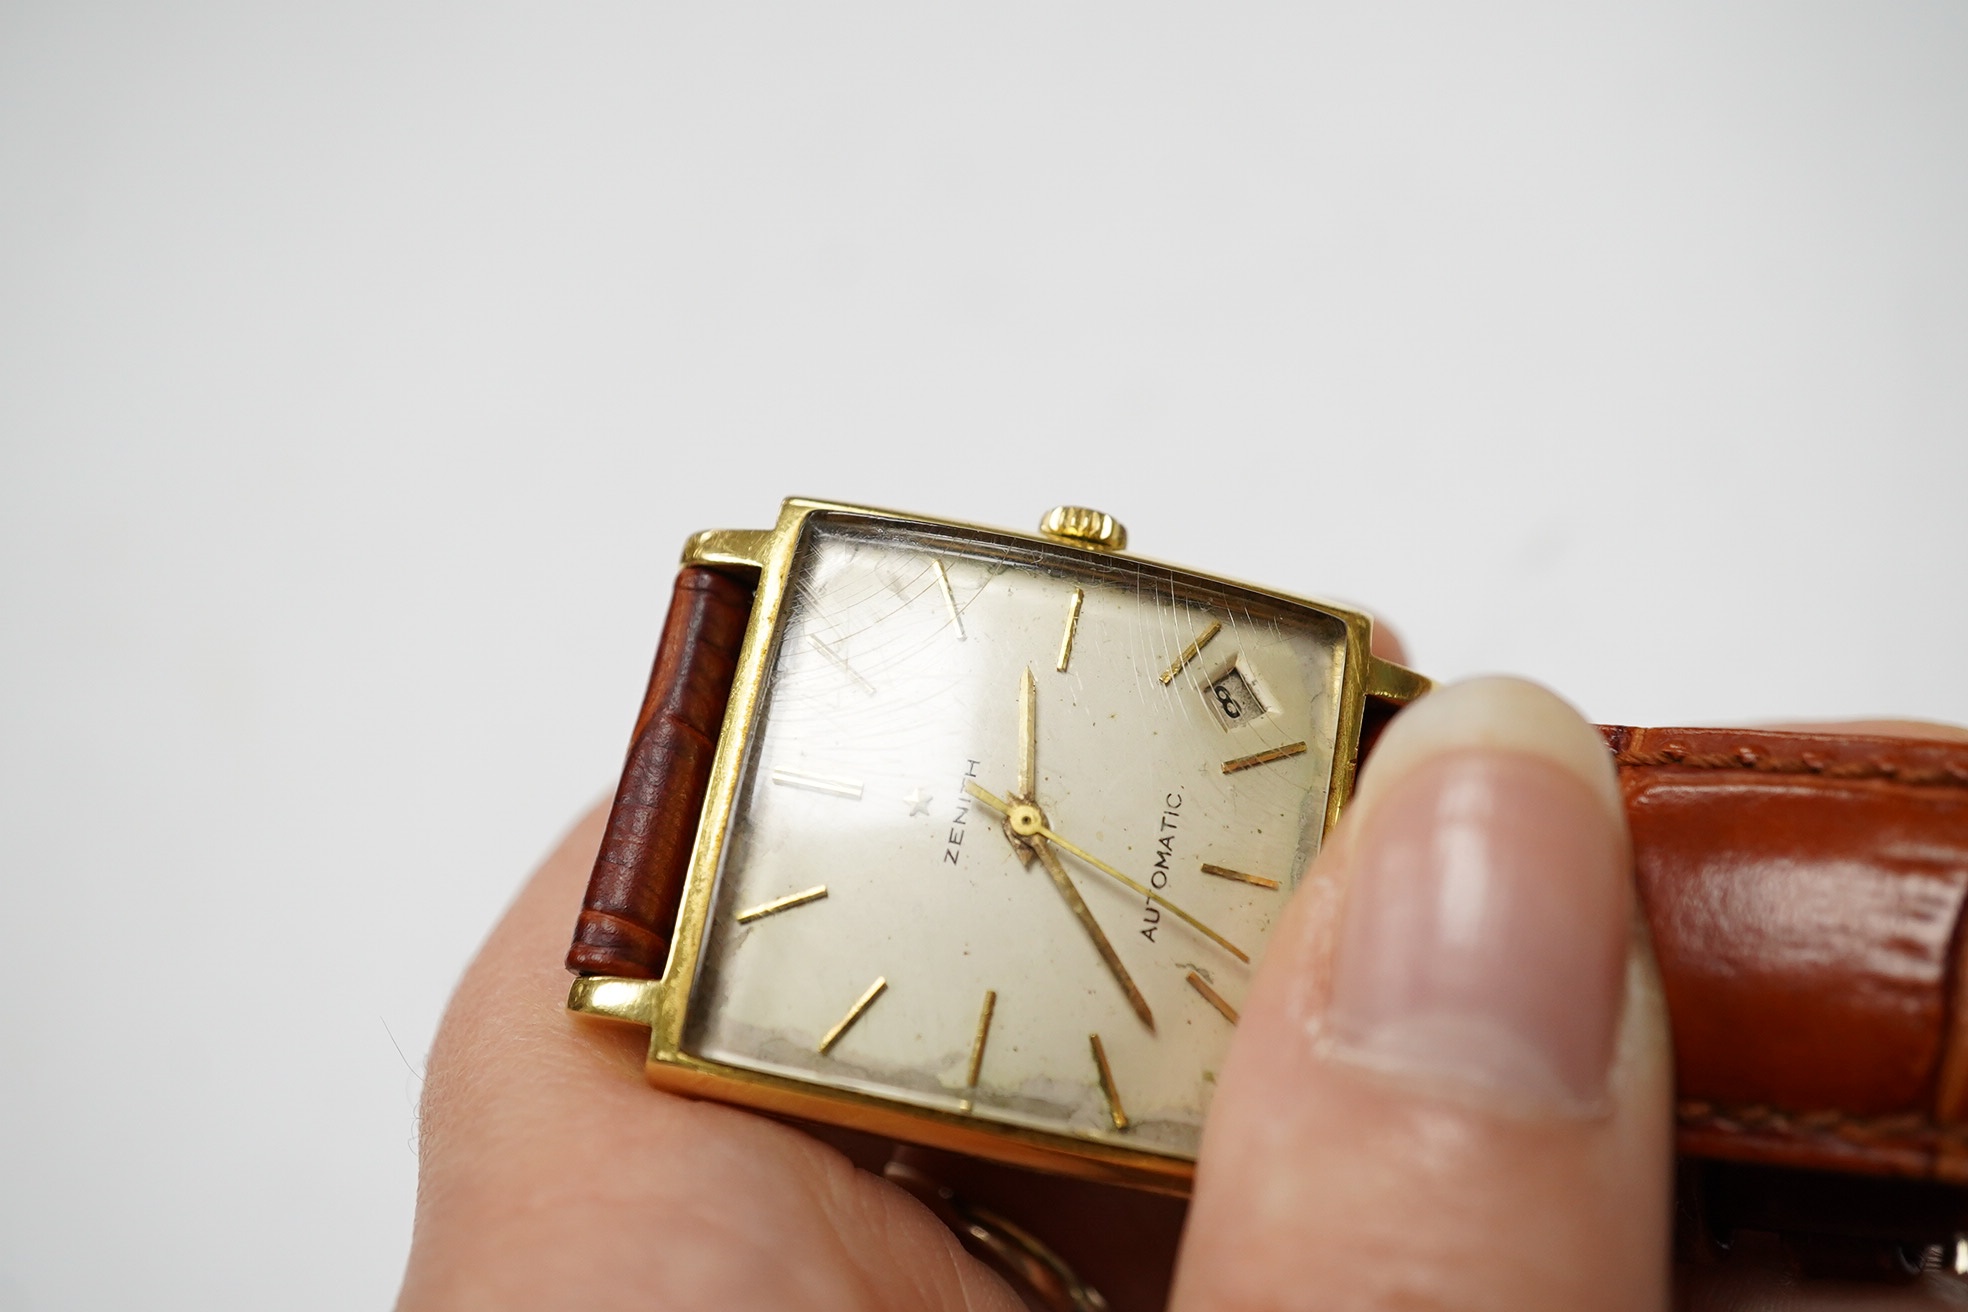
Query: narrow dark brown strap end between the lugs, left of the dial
<point x="639" y="878"/>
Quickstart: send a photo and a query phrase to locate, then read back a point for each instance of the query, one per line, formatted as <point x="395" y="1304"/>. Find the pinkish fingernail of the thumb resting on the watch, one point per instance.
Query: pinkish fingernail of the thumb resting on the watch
<point x="1487" y="918"/>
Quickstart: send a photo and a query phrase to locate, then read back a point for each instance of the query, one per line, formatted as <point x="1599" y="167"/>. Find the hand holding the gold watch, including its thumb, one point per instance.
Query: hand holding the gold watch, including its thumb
<point x="1449" y="1091"/>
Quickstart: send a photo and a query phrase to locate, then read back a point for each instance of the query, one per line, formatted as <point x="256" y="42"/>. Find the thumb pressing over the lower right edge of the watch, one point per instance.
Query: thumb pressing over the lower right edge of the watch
<point x="1451" y="1083"/>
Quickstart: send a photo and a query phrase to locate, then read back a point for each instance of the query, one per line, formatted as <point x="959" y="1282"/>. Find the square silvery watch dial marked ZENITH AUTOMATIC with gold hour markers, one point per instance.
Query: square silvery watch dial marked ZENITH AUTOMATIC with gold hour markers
<point x="965" y="748"/>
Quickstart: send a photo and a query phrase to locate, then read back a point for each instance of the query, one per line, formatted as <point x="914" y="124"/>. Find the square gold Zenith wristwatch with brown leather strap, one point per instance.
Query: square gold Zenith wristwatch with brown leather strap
<point x="971" y="839"/>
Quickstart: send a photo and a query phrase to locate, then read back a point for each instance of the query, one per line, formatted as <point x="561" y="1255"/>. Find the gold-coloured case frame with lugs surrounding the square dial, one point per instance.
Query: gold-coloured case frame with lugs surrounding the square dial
<point x="664" y="1004"/>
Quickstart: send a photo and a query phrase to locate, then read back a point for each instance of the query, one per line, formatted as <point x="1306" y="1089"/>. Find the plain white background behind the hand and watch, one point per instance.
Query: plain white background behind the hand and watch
<point x="363" y="369"/>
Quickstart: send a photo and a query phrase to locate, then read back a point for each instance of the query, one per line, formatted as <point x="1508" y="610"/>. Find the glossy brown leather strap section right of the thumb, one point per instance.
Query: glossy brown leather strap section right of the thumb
<point x="1808" y="904"/>
